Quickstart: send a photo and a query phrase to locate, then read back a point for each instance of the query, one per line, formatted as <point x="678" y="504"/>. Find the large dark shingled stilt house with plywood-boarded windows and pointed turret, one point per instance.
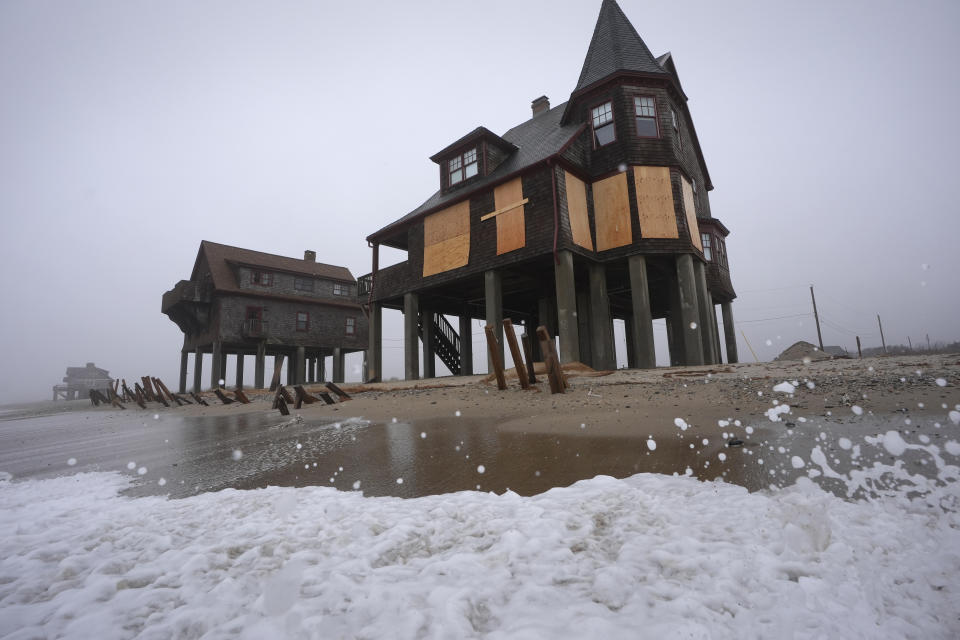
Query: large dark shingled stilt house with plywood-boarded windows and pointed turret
<point x="592" y="210"/>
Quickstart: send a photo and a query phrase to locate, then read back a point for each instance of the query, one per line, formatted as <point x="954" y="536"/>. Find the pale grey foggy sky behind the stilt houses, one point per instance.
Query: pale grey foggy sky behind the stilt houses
<point x="131" y="131"/>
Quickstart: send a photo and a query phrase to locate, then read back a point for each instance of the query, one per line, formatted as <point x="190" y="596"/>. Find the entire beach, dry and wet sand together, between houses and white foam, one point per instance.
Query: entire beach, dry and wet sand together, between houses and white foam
<point x="452" y="434"/>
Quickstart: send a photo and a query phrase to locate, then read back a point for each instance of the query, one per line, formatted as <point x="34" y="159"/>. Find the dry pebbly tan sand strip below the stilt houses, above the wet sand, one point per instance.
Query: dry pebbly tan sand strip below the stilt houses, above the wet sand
<point x="621" y="402"/>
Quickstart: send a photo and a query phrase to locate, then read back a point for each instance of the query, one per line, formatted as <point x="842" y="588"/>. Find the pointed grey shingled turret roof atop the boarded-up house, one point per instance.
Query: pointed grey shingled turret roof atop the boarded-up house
<point x="615" y="46"/>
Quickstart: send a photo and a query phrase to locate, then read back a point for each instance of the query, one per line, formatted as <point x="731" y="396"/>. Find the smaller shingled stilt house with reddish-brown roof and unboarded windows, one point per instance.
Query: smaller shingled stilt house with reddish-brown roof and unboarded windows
<point x="241" y="302"/>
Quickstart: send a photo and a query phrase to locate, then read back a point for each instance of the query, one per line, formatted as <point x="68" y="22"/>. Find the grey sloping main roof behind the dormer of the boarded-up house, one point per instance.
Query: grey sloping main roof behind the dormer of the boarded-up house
<point x="535" y="140"/>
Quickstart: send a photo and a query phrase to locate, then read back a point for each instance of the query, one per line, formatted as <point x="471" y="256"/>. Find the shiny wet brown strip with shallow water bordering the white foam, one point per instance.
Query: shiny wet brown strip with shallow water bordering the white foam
<point x="184" y="456"/>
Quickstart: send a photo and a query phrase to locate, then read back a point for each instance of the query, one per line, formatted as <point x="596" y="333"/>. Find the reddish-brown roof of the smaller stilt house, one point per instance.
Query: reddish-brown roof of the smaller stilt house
<point x="220" y="257"/>
